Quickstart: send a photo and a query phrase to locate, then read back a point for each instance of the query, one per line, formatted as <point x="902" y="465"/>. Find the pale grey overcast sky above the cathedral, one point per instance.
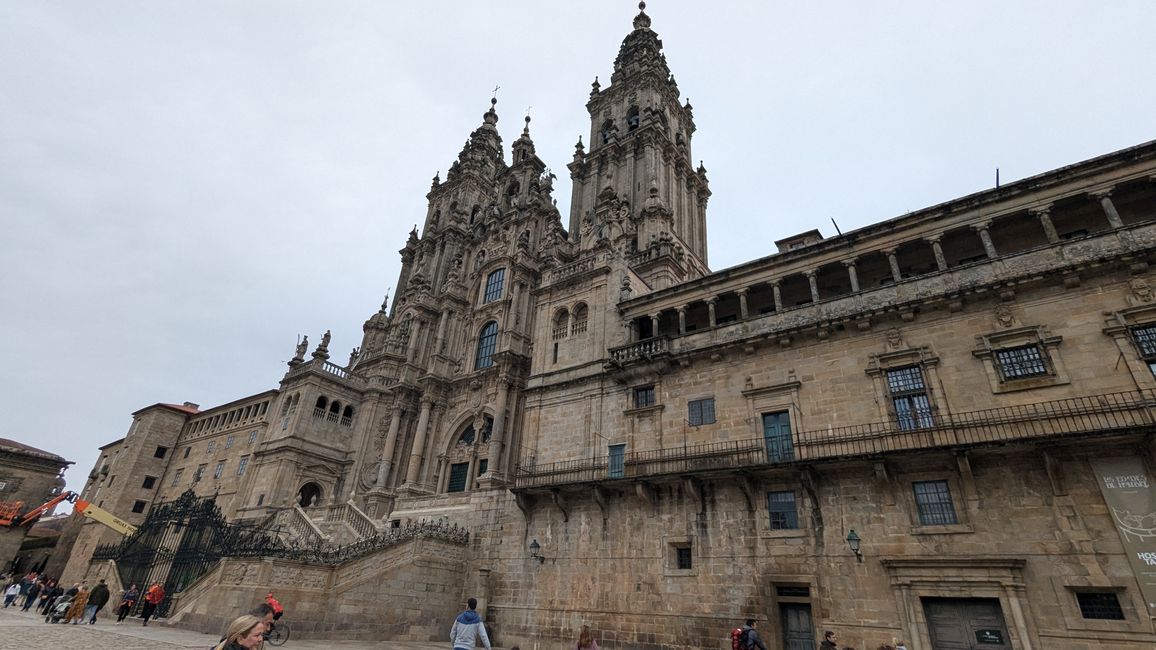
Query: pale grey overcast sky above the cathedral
<point x="188" y="187"/>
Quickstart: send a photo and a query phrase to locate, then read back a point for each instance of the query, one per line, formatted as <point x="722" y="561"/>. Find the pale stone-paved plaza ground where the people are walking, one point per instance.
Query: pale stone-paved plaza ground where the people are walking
<point x="24" y="630"/>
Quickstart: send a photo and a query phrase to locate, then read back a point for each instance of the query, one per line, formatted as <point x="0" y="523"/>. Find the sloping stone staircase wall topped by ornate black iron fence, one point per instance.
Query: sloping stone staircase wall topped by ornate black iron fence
<point x="409" y="593"/>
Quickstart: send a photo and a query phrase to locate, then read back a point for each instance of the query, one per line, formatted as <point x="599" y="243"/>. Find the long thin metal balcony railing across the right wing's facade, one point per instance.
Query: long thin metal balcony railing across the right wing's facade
<point x="1100" y="415"/>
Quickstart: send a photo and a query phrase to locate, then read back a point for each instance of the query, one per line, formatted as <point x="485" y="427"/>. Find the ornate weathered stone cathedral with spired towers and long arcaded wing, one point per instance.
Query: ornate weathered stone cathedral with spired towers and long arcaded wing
<point x="936" y="430"/>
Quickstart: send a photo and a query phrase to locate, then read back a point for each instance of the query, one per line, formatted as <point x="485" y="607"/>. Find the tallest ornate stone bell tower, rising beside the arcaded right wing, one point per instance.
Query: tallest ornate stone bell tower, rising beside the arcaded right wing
<point x="639" y="178"/>
